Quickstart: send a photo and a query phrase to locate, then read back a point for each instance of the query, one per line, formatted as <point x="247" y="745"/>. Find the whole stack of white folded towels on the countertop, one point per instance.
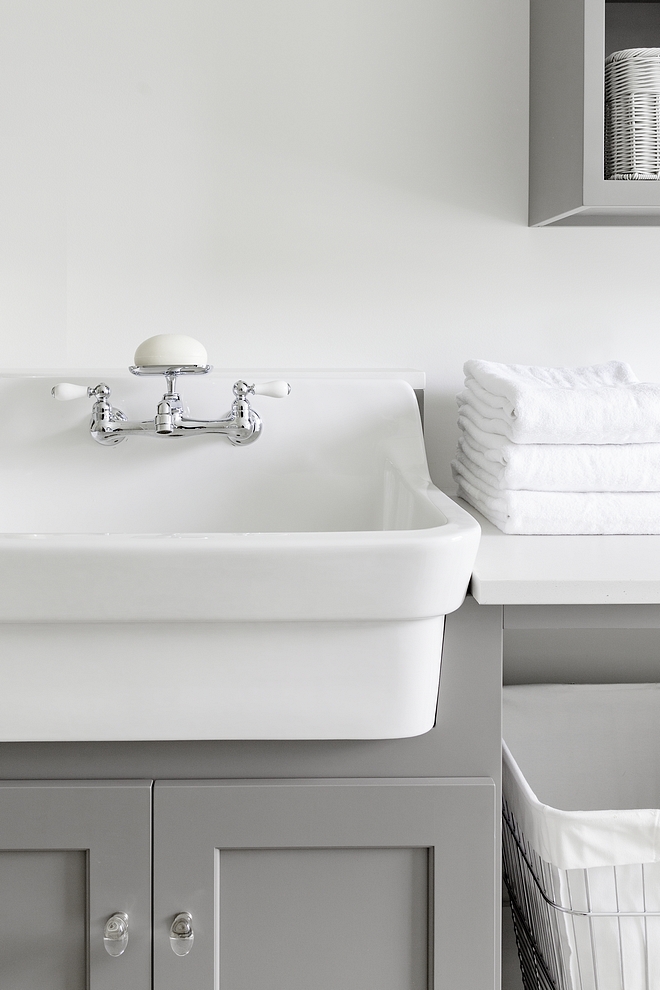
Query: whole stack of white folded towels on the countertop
<point x="560" y="450"/>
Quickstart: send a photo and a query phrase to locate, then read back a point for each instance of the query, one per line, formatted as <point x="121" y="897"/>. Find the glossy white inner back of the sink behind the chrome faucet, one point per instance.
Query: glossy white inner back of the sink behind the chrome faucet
<point x="319" y="465"/>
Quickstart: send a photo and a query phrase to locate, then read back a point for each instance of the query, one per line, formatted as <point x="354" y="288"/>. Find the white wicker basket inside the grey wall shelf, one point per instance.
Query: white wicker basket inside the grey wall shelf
<point x="632" y="114"/>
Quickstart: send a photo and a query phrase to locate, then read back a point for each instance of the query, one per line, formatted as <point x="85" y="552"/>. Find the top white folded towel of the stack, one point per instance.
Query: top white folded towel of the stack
<point x="601" y="404"/>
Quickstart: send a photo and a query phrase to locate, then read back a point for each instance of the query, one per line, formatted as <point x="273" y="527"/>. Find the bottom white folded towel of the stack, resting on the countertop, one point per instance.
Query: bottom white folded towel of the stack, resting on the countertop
<point x="567" y="513"/>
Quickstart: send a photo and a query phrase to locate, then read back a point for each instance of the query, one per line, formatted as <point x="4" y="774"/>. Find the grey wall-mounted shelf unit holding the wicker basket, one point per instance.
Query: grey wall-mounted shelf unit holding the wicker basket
<point x="569" y="40"/>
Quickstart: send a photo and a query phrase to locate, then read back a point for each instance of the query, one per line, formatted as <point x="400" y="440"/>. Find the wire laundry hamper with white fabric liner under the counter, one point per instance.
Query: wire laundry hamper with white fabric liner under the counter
<point x="581" y="791"/>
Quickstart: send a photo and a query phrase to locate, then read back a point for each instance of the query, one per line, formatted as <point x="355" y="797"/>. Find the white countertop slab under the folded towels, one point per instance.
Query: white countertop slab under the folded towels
<point x="564" y="570"/>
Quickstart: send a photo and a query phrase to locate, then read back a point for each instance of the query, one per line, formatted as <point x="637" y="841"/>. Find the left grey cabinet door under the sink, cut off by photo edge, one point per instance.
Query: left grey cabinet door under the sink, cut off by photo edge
<point x="71" y="855"/>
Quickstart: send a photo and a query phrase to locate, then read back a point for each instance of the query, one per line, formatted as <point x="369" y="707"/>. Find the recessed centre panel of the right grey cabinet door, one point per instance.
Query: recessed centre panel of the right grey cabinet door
<point x="322" y="918"/>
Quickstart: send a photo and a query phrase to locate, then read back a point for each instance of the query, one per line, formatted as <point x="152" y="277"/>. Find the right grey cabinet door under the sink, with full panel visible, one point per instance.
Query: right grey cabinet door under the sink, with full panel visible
<point x="337" y="884"/>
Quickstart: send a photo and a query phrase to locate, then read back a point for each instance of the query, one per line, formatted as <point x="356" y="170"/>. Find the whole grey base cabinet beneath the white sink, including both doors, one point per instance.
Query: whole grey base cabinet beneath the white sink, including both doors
<point x="327" y="864"/>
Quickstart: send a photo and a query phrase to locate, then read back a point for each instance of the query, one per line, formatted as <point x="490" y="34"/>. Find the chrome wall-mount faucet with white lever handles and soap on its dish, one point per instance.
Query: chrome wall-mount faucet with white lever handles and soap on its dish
<point x="170" y="355"/>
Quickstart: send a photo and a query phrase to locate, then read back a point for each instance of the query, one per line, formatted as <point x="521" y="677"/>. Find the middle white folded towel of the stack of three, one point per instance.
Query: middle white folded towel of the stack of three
<point x="554" y="467"/>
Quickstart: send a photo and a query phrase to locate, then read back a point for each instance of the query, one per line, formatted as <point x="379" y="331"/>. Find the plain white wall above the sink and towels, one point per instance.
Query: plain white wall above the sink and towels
<point x="333" y="183"/>
